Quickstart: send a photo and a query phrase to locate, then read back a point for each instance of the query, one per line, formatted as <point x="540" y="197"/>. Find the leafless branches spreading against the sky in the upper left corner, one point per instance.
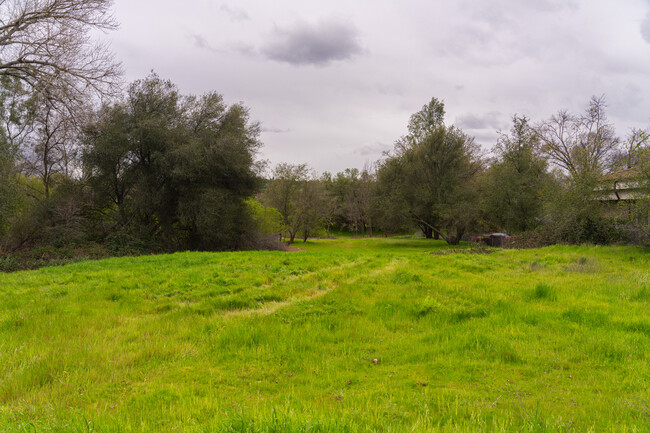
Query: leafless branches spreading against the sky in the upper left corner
<point x="47" y="45"/>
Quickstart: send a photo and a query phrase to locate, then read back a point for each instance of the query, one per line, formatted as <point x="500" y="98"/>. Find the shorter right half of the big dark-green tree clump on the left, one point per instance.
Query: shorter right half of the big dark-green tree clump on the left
<point x="214" y="174"/>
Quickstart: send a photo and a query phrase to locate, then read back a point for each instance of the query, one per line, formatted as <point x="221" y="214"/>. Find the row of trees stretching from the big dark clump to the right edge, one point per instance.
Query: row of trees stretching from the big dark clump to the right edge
<point x="542" y="181"/>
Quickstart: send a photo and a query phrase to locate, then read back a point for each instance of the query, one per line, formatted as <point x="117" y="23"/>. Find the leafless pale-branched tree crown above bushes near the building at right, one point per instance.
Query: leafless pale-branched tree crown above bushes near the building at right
<point x="579" y="143"/>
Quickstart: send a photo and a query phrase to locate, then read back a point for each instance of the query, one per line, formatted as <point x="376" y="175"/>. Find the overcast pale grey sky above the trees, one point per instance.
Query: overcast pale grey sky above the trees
<point x="334" y="83"/>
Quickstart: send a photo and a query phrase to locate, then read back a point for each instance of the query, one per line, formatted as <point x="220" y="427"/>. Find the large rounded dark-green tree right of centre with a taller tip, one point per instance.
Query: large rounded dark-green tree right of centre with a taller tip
<point x="434" y="177"/>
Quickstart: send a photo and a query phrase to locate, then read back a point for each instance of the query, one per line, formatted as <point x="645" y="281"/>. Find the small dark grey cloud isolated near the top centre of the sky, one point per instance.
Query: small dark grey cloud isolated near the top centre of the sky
<point x="314" y="44"/>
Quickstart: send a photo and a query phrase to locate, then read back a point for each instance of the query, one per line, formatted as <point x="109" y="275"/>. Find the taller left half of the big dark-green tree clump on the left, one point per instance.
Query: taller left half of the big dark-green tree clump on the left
<point x="128" y="156"/>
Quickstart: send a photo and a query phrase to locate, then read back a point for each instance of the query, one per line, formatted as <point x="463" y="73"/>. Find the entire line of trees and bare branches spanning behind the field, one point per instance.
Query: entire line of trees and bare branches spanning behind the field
<point x="85" y="161"/>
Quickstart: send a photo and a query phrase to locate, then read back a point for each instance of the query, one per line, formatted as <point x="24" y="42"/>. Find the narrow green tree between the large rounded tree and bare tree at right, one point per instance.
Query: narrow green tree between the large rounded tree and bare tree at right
<point x="516" y="181"/>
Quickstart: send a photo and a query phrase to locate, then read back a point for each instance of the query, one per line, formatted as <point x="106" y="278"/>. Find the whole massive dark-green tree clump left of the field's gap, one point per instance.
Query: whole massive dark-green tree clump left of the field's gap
<point x="175" y="169"/>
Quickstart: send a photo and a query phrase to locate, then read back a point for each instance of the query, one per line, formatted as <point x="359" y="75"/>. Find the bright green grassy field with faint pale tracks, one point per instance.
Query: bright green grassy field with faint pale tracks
<point x="347" y="335"/>
